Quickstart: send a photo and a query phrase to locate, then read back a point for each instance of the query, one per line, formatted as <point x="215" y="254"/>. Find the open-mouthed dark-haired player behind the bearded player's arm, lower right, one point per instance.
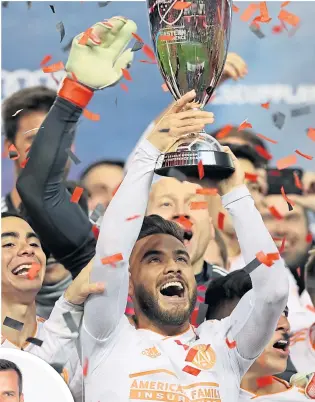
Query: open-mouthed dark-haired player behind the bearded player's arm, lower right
<point x="259" y="383"/>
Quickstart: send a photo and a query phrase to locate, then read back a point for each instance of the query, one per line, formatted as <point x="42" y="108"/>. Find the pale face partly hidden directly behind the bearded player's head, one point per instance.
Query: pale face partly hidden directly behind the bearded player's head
<point x="171" y="199"/>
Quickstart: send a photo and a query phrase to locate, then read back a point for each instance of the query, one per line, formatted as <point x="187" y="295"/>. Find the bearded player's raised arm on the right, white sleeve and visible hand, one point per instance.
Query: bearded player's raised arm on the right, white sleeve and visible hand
<point x="254" y="319"/>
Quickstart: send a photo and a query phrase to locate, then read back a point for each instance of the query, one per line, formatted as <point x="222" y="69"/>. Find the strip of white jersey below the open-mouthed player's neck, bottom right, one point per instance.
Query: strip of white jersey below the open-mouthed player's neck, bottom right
<point x="291" y="394"/>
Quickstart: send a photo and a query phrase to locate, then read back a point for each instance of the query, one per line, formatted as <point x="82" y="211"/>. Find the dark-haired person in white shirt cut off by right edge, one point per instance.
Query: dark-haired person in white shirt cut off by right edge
<point x="303" y="341"/>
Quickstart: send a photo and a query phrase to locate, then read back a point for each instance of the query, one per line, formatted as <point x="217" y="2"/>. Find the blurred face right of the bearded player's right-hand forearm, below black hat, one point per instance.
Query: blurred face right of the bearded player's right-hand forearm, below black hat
<point x="293" y="227"/>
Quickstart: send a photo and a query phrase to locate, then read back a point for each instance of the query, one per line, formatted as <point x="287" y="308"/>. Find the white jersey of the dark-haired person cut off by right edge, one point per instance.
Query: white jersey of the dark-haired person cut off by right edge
<point x="302" y="349"/>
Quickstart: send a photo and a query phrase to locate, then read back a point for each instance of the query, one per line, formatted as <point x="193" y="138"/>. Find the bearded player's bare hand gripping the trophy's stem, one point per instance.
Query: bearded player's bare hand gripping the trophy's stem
<point x="179" y="120"/>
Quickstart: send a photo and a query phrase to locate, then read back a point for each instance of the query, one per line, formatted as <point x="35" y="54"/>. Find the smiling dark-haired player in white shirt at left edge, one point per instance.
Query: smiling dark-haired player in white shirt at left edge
<point x="20" y="249"/>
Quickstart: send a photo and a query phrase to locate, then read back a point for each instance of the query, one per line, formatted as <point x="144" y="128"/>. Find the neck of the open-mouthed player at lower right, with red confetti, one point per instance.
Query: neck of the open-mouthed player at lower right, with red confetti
<point x="249" y="383"/>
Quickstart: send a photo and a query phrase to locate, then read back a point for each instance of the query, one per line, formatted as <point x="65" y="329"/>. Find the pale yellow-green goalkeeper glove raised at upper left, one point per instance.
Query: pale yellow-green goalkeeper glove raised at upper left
<point x="96" y="59"/>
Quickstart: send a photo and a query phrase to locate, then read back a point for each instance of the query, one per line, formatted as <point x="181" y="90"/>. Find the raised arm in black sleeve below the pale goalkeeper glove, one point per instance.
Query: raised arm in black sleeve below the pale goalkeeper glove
<point x="62" y="225"/>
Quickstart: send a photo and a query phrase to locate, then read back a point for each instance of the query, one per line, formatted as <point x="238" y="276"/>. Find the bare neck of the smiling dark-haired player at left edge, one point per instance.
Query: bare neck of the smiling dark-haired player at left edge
<point x="25" y="313"/>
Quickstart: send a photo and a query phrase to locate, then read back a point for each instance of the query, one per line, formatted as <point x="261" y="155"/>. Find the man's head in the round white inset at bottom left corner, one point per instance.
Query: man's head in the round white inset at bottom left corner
<point x="11" y="382"/>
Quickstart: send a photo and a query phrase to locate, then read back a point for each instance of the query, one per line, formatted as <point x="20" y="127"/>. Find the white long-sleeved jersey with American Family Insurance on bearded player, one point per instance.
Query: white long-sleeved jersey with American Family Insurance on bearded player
<point x="126" y="364"/>
